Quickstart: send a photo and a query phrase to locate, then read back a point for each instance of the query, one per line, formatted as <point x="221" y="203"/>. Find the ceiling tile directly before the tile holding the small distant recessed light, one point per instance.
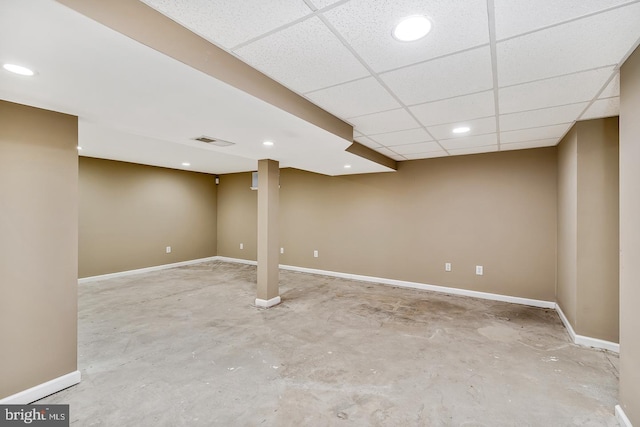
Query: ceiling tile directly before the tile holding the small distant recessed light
<point x="452" y="110"/>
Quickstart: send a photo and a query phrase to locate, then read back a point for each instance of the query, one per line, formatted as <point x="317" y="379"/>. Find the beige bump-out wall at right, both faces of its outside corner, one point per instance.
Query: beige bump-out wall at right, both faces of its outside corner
<point x="588" y="228"/>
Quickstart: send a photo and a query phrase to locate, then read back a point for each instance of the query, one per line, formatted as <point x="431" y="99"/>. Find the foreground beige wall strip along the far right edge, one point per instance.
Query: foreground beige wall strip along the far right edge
<point x="630" y="238"/>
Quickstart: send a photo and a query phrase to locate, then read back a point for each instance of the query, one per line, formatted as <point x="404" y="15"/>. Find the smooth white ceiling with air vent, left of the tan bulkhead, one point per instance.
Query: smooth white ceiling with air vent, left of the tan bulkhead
<point x="139" y="105"/>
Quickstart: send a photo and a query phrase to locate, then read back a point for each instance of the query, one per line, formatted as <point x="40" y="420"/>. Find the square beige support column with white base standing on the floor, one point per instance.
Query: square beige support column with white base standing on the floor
<point x="268" y="293"/>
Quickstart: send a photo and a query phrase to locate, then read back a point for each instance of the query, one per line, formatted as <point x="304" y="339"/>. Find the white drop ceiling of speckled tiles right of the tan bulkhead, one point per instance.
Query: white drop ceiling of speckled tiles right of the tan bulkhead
<point x="519" y="73"/>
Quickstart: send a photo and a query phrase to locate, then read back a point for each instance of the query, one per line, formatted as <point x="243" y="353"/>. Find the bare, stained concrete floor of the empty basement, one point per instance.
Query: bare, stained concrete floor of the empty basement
<point x="186" y="347"/>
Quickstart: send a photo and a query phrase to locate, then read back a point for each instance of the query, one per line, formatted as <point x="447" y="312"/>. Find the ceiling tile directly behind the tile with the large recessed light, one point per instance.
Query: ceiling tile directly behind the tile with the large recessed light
<point x="442" y="78"/>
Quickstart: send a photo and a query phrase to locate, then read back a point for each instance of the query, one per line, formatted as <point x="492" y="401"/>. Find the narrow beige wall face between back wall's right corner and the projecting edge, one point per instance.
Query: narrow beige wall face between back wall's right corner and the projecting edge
<point x="567" y="279"/>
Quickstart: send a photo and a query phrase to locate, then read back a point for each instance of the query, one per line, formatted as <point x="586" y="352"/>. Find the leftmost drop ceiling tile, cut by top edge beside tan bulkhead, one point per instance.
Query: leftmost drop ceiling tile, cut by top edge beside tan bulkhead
<point x="229" y="23"/>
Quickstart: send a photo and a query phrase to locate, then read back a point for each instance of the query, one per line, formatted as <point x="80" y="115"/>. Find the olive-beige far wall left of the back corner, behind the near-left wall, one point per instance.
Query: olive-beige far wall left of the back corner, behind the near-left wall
<point x="130" y="213"/>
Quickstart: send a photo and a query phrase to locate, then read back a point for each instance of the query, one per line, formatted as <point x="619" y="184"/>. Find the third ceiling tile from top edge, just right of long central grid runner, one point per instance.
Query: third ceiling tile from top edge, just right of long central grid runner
<point x="563" y="90"/>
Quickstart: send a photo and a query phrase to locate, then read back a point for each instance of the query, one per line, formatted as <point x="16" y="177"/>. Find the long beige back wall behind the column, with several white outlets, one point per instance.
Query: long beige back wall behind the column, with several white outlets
<point x="497" y="210"/>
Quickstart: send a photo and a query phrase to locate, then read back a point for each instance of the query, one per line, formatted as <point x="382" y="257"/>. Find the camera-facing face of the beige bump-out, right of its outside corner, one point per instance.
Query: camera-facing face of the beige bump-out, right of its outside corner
<point x="598" y="230"/>
